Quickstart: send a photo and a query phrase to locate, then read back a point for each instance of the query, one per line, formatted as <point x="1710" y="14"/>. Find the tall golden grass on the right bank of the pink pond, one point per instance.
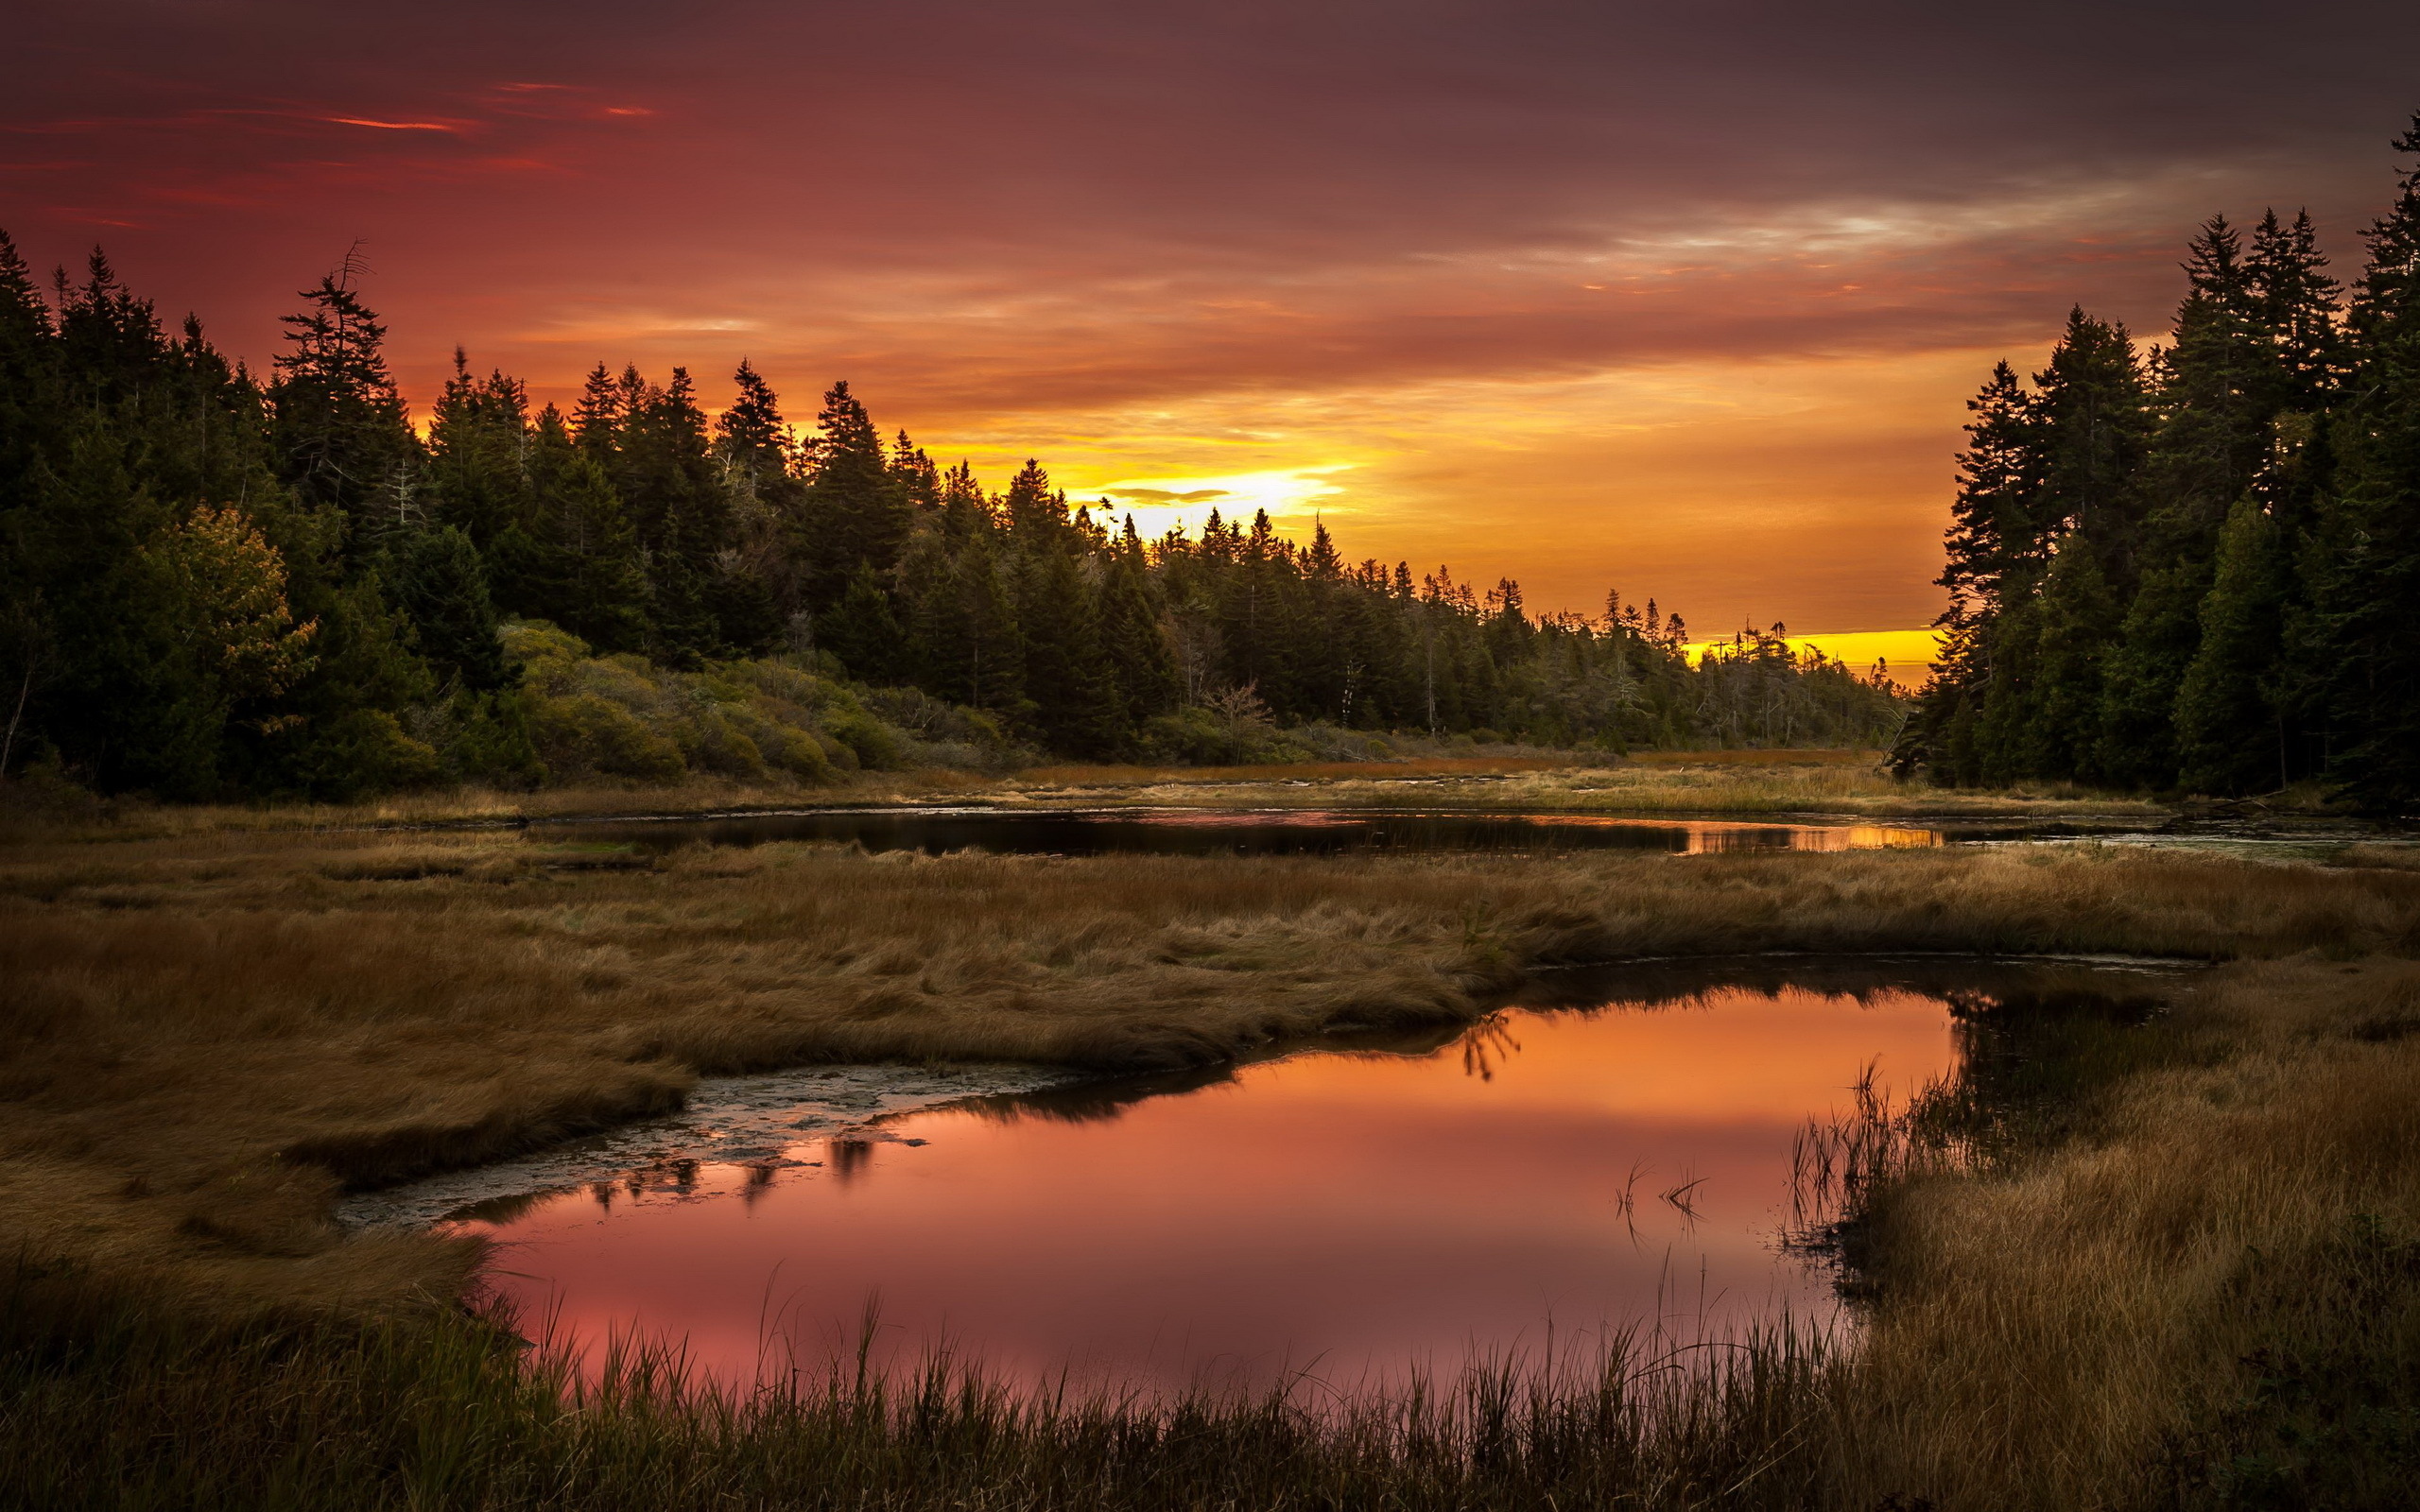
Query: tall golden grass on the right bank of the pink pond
<point x="2206" y="1295"/>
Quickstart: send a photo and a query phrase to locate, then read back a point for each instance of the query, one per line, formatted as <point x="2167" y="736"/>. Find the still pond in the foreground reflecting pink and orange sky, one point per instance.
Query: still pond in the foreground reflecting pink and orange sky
<point x="1620" y="1162"/>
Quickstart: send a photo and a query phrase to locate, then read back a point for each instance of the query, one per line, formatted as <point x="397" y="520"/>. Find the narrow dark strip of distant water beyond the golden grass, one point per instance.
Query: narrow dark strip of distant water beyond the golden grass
<point x="1243" y="833"/>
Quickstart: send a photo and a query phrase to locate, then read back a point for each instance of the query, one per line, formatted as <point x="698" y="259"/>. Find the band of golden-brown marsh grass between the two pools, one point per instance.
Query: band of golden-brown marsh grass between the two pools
<point x="202" y="1039"/>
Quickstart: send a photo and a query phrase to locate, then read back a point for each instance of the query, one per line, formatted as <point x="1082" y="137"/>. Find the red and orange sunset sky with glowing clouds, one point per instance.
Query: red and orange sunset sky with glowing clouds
<point x="1669" y="299"/>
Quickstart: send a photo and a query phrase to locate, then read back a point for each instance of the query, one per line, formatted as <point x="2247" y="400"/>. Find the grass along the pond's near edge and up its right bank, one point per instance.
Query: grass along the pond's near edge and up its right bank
<point x="2203" y="1295"/>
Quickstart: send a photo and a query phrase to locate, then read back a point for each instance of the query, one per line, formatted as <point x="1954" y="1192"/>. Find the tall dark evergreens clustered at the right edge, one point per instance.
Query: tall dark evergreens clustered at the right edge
<point x="2201" y="567"/>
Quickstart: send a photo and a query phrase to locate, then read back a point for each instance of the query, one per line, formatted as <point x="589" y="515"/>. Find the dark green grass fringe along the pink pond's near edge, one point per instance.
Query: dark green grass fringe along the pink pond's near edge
<point x="449" y="1414"/>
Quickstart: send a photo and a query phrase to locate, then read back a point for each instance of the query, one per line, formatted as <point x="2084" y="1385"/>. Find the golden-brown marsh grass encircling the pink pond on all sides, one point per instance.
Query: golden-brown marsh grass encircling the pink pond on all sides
<point x="2211" y="1295"/>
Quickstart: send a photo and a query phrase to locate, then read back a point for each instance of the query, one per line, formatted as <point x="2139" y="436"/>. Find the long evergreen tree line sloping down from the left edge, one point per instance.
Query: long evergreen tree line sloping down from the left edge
<point x="234" y="584"/>
